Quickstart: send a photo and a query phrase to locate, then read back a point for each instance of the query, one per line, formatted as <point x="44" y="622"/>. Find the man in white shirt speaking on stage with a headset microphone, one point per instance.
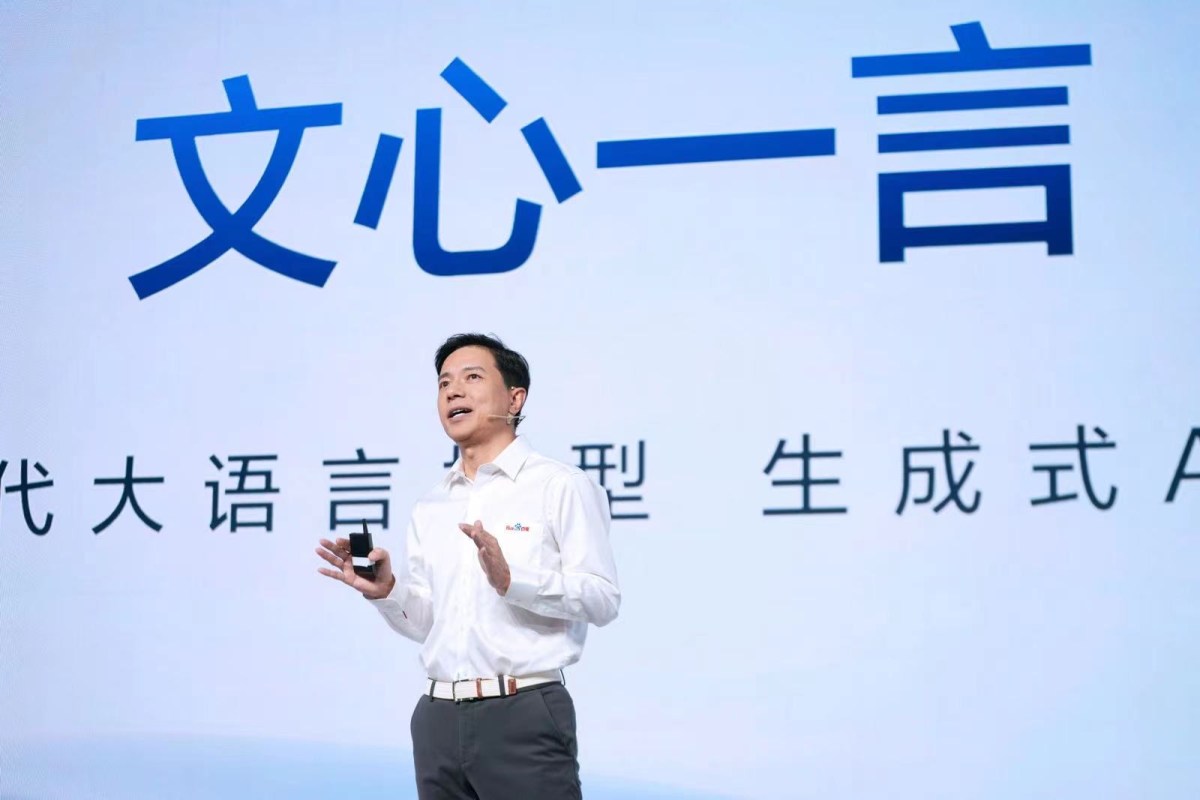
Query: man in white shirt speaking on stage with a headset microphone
<point x="508" y="562"/>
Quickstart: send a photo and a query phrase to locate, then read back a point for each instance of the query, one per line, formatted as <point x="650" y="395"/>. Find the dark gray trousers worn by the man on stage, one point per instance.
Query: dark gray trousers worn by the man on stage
<point x="518" y="748"/>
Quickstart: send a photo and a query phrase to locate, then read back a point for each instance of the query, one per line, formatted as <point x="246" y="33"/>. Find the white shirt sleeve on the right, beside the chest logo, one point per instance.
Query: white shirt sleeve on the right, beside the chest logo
<point x="585" y="588"/>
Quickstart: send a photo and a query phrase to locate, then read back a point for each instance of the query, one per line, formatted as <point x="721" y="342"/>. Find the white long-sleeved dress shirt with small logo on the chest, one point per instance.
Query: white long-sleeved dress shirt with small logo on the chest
<point x="553" y="524"/>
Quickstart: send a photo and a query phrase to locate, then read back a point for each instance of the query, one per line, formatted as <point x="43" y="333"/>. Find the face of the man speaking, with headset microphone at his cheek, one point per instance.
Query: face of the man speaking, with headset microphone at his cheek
<point x="471" y="389"/>
